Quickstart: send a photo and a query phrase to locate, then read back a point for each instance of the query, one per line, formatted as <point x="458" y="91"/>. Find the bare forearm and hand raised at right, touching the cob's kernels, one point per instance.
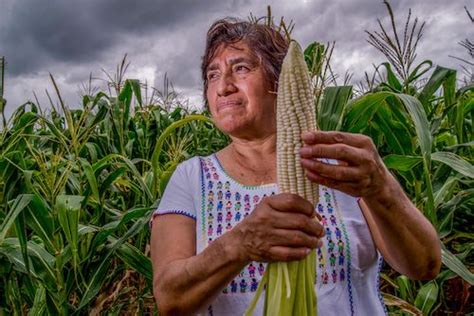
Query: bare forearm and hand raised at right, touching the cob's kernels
<point x="403" y="235"/>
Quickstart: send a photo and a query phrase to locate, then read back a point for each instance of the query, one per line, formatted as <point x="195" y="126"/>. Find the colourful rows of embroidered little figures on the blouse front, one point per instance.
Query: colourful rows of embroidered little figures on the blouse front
<point x="226" y="203"/>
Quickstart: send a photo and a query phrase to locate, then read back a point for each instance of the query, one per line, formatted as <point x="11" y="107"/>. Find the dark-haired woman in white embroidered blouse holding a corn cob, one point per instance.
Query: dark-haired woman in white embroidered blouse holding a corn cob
<point x="221" y="218"/>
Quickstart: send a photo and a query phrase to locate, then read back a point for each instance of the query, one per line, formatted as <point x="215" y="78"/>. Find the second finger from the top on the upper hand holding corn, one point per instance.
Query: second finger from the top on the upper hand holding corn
<point x="352" y="155"/>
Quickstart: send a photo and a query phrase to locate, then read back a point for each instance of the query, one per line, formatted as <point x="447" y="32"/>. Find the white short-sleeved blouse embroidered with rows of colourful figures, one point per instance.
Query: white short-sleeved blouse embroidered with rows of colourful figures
<point x="347" y="281"/>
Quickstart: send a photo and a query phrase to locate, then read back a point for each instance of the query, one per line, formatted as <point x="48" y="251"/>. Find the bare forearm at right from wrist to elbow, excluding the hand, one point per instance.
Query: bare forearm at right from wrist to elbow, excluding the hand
<point x="406" y="239"/>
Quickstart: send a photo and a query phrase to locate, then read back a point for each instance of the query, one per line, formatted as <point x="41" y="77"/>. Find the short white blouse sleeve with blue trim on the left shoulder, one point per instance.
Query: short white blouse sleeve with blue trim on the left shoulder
<point x="177" y="198"/>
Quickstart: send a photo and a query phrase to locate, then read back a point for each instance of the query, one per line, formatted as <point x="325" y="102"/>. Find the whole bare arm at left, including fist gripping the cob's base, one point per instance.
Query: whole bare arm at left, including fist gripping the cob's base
<point x="281" y="228"/>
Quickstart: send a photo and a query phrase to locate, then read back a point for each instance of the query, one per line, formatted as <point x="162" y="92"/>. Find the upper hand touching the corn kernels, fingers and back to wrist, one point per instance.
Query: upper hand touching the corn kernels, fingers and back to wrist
<point x="360" y="170"/>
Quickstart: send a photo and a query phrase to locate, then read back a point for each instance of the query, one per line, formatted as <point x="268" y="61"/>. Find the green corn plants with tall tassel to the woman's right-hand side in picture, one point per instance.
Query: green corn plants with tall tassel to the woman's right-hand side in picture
<point x="424" y="132"/>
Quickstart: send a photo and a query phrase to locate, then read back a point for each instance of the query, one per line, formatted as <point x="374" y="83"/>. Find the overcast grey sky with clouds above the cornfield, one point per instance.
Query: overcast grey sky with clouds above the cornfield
<point x="71" y="39"/>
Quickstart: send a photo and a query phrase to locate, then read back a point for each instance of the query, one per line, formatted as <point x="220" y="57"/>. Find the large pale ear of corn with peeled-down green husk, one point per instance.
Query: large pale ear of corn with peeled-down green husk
<point x="290" y="285"/>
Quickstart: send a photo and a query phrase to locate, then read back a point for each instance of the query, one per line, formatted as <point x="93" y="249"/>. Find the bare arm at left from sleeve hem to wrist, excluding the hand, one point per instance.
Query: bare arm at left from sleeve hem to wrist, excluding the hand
<point x="183" y="282"/>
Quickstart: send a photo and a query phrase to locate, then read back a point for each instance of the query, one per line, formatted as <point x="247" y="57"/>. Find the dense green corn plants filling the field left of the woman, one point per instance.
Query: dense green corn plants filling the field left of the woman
<point x="77" y="188"/>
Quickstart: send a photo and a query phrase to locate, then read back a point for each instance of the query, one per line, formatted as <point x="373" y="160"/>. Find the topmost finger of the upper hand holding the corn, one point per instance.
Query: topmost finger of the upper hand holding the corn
<point x="334" y="137"/>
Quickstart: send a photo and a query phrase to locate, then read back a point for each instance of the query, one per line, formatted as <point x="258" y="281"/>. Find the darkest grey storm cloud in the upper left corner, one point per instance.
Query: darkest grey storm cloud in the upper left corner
<point x="39" y="33"/>
